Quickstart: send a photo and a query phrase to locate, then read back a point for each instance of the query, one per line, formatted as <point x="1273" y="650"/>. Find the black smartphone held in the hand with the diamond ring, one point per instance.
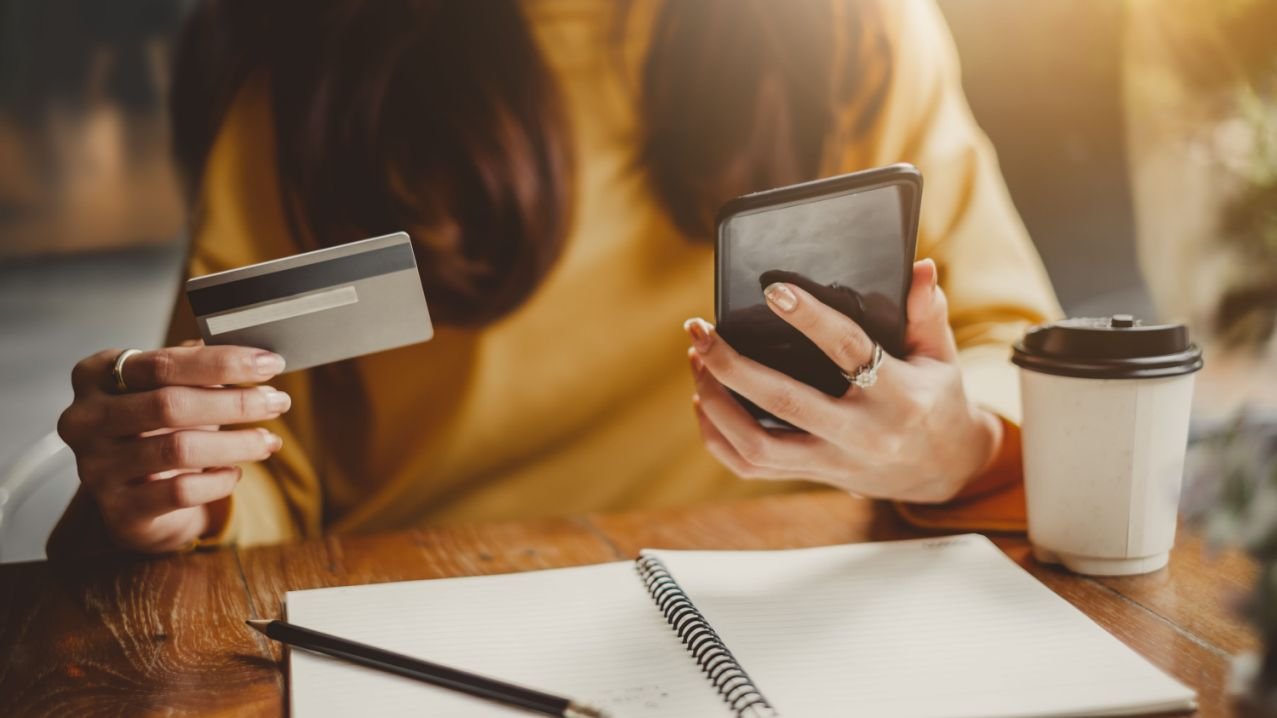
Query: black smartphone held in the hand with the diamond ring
<point x="850" y="241"/>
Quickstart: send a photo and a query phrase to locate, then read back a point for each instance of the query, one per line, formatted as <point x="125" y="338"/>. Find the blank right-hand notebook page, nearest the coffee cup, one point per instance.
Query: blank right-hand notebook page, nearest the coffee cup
<point x="934" y="628"/>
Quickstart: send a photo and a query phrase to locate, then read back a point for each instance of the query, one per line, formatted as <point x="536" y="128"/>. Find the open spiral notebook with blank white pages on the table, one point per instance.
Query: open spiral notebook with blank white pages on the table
<point x="933" y="628"/>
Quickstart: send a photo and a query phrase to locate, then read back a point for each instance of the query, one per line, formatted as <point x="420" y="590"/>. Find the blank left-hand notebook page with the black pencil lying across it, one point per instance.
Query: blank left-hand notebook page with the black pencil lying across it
<point x="591" y="634"/>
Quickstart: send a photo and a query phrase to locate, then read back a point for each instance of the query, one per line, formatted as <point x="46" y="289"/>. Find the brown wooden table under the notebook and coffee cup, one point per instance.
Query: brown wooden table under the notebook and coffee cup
<point x="136" y="637"/>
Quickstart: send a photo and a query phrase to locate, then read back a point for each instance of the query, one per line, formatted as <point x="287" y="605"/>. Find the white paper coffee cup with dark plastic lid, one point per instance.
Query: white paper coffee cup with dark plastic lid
<point x="1107" y="409"/>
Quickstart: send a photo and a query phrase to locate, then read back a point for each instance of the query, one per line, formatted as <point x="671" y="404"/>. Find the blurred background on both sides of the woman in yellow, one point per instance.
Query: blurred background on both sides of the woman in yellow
<point x="1075" y="94"/>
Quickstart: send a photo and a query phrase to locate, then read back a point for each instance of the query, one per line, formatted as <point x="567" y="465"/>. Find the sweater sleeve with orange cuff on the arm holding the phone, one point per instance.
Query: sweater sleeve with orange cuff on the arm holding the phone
<point x="989" y="269"/>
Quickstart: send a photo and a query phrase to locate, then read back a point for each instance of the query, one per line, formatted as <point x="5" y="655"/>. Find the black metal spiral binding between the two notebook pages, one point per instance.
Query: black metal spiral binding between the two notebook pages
<point x="706" y="646"/>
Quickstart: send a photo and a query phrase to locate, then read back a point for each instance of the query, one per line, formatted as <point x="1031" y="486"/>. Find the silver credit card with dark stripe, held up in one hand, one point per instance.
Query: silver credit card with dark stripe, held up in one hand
<point x="319" y="307"/>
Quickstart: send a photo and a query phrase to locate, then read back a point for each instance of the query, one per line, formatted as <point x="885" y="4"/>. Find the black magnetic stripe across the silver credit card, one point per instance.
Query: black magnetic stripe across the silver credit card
<point x="297" y="280"/>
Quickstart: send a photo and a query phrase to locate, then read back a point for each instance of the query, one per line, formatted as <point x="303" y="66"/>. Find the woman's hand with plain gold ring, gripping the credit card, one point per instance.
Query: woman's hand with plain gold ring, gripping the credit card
<point x="155" y="459"/>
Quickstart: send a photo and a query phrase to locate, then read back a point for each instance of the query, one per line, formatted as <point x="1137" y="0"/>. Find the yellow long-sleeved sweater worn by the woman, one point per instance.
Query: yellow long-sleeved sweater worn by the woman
<point x="580" y="401"/>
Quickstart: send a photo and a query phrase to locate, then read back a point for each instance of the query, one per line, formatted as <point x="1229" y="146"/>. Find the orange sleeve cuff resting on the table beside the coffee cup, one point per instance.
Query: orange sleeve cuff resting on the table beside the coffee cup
<point x="994" y="501"/>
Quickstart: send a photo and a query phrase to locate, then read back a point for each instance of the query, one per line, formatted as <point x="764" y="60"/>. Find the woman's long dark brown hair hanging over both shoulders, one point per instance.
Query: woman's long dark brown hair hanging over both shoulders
<point x="440" y="117"/>
